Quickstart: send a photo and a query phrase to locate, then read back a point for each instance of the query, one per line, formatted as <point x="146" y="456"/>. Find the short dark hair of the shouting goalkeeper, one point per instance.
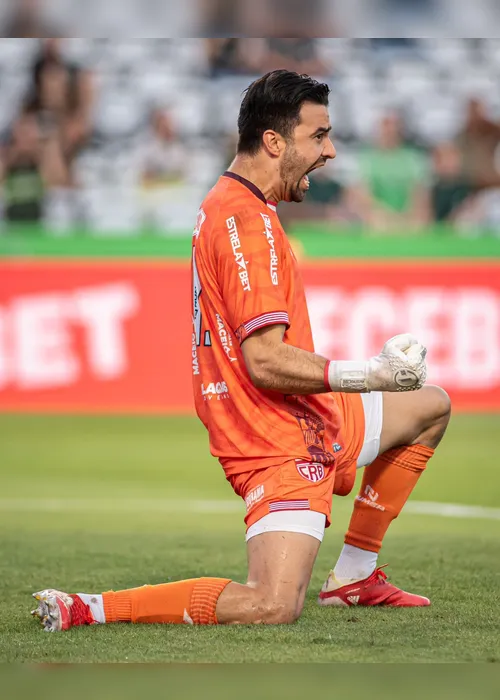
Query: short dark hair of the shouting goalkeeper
<point x="274" y="102"/>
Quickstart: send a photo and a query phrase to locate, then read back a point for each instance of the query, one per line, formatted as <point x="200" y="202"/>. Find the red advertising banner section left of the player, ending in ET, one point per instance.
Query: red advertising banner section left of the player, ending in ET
<point x="97" y="337"/>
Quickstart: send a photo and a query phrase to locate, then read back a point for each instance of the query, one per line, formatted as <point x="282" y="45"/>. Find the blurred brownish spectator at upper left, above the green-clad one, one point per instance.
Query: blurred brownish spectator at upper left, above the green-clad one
<point x="62" y="96"/>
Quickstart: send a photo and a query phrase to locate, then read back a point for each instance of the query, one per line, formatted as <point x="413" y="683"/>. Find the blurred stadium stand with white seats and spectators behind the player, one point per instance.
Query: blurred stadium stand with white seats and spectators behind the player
<point x="100" y="97"/>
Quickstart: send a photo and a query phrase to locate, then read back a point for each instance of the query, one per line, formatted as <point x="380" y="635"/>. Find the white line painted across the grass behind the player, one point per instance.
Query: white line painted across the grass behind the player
<point x="143" y="505"/>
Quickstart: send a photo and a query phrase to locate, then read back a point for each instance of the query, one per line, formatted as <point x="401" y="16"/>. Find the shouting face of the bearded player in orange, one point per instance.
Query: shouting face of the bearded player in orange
<point x="309" y="148"/>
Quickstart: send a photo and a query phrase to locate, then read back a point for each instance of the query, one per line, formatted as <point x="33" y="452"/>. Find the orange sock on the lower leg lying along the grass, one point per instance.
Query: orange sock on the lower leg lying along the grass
<point x="193" y="601"/>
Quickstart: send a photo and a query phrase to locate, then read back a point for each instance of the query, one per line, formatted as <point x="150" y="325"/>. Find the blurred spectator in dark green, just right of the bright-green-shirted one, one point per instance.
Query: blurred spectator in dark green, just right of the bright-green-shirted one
<point x="451" y="193"/>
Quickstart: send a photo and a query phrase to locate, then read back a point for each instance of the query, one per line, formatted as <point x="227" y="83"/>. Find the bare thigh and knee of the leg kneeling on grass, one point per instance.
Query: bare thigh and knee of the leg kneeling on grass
<point x="279" y="570"/>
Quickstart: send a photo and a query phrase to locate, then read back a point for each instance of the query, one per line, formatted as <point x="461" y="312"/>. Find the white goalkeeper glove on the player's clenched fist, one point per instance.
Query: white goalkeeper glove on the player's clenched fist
<point x="399" y="367"/>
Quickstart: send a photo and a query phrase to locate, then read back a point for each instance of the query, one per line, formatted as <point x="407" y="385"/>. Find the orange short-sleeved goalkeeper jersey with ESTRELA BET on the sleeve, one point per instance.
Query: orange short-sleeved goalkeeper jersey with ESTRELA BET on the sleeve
<point x="245" y="277"/>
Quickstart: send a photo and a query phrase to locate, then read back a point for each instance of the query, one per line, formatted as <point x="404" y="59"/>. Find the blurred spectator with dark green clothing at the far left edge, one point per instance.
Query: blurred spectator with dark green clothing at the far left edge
<point x="30" y="166"/>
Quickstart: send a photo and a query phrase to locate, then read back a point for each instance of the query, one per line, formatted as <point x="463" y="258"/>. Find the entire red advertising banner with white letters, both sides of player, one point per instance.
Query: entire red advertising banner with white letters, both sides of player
<point x="116" y="336"/>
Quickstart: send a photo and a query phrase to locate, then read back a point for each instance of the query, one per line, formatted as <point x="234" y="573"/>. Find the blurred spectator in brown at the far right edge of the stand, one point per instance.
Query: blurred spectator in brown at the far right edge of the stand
<point x="478" y="143"/>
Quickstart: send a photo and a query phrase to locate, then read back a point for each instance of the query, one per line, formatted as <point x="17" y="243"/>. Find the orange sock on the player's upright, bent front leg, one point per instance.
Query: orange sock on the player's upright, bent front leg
<point x="387" y="483"/>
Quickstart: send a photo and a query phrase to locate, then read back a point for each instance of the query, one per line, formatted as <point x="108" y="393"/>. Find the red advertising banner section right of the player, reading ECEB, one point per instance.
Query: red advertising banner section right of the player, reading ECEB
<point x="452" y="308"/>
